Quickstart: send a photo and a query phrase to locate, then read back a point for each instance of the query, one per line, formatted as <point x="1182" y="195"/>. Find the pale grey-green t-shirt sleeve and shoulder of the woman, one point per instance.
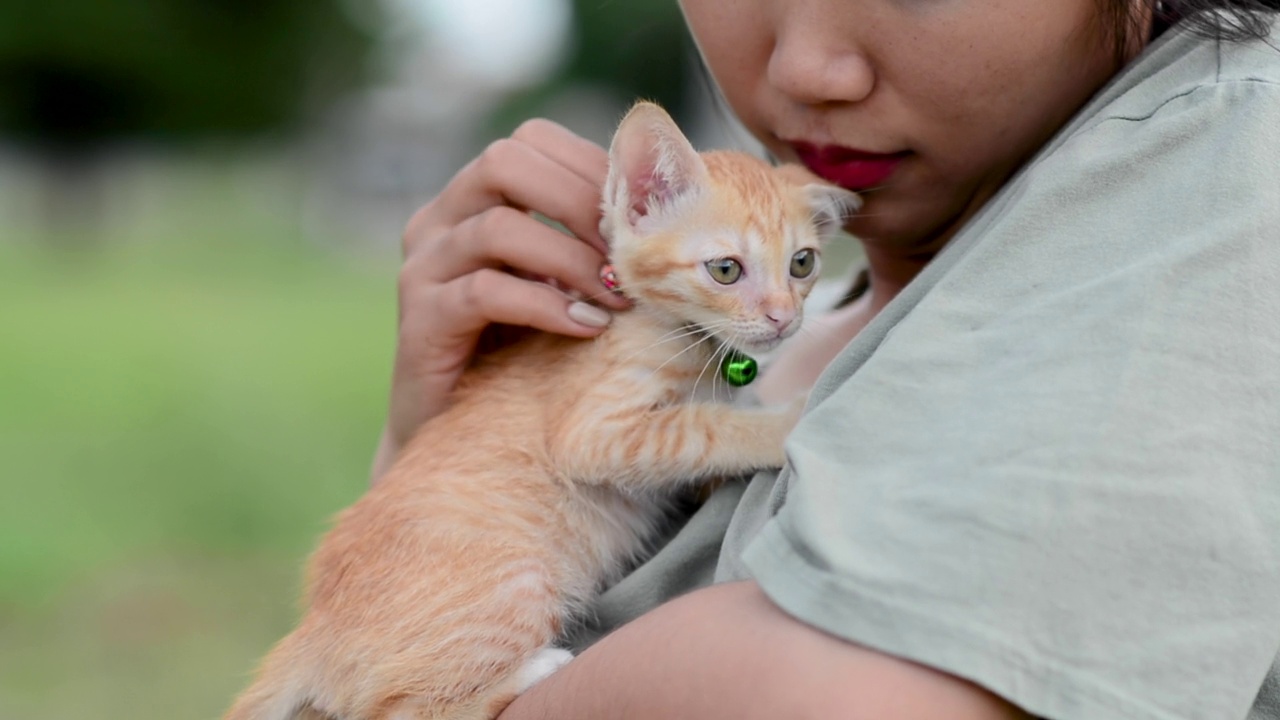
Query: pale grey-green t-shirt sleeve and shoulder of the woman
<point x="1059" y="473"/>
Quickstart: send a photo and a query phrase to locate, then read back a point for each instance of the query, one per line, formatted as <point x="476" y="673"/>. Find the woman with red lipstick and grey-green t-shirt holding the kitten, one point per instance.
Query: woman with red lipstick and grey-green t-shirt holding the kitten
<point x="1040" y="472"/>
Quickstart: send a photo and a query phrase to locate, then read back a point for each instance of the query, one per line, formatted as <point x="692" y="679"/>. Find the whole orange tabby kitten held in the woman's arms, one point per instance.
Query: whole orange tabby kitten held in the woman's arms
<point x="441" y="593"/>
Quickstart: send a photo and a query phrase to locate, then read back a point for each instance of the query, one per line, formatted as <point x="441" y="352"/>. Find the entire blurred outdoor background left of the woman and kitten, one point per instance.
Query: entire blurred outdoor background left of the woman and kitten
<point x="200" y="208"/>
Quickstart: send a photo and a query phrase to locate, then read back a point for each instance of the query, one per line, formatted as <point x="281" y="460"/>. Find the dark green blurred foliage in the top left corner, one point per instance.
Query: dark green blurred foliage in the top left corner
<point x="79" y="75"/>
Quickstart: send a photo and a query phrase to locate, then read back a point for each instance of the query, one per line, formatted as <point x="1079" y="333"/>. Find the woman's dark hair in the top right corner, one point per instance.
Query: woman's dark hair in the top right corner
<point x="1222" y="20"/>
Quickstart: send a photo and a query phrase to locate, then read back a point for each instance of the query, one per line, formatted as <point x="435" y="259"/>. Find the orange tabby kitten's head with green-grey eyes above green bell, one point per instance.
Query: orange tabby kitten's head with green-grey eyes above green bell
<point x="720" y="240"/>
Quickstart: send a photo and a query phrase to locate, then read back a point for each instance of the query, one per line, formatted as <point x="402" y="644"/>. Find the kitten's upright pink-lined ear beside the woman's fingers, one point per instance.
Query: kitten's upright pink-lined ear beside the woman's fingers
<point x="651" y="165"/>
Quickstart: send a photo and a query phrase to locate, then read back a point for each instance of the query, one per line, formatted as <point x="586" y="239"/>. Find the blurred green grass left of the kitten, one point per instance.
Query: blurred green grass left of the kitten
<point x="181" y="412"/>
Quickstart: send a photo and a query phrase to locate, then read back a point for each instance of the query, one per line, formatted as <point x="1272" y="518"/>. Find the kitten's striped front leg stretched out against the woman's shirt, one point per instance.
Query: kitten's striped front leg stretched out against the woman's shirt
<point x="634" y="448"/>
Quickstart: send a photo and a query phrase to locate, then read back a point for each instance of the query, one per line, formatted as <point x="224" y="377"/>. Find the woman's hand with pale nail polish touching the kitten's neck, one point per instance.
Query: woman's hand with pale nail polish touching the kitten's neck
<point x="477" y="259"/>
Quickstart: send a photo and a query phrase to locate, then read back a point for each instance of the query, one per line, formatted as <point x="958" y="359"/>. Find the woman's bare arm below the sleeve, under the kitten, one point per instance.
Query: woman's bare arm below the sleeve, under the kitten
<point x="729" y="653"/>
